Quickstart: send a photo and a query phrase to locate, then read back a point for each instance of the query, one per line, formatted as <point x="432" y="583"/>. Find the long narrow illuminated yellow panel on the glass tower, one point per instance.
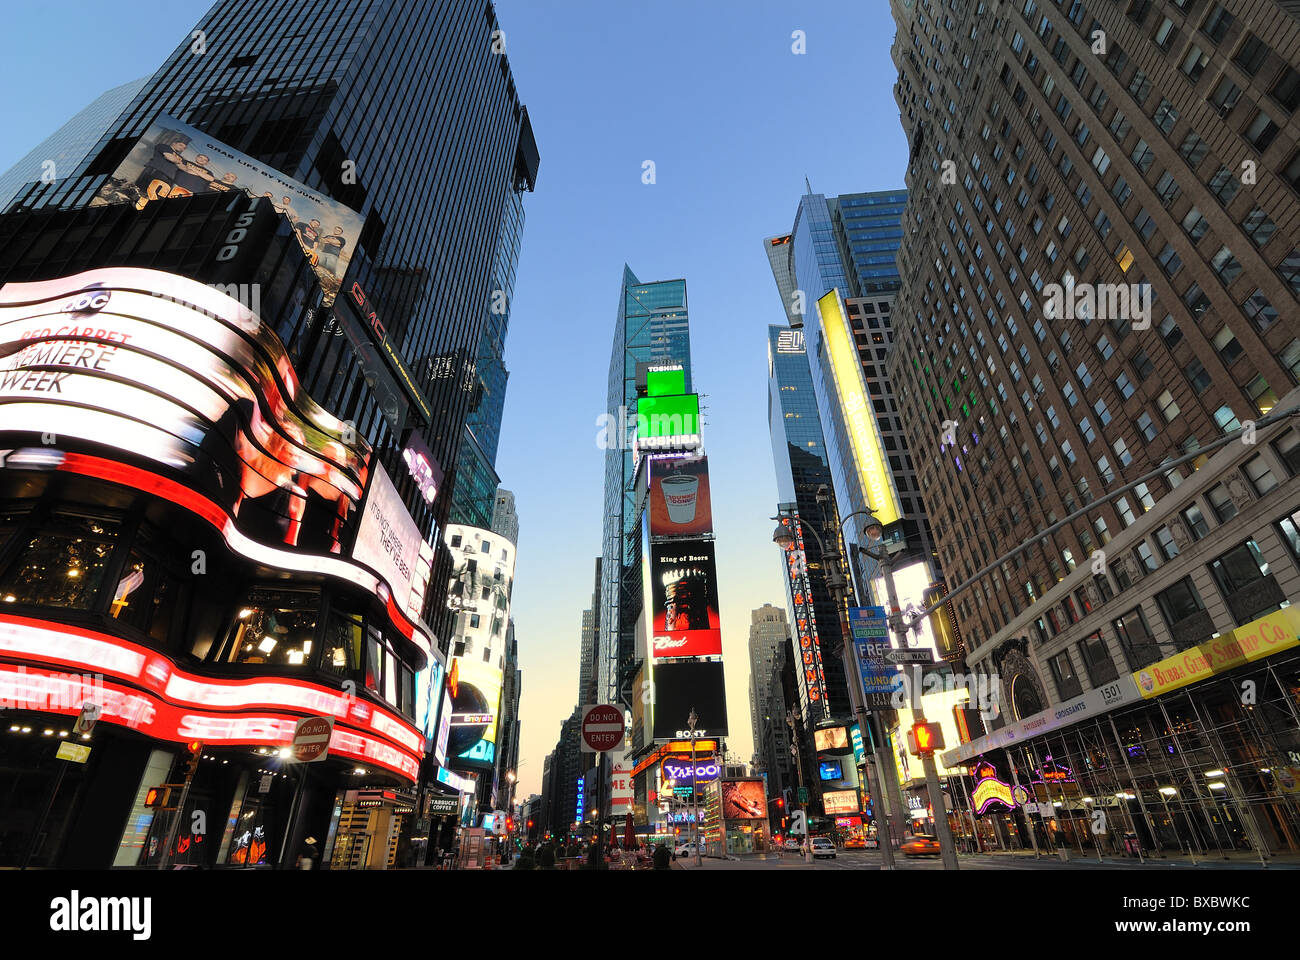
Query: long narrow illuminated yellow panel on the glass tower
<point x="869" y="451"/>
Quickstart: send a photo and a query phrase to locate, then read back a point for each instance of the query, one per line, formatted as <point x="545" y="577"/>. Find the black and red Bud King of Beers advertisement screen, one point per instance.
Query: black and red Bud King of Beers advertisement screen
<point x="684" y="589"/>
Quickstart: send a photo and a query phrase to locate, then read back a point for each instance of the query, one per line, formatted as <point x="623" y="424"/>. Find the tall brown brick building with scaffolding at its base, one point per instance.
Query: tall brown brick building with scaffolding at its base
<point x="1056" y="192"/>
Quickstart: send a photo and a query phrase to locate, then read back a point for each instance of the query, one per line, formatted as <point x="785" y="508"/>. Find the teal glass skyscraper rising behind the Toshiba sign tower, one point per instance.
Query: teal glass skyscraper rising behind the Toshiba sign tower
<point x="652" y="327"/>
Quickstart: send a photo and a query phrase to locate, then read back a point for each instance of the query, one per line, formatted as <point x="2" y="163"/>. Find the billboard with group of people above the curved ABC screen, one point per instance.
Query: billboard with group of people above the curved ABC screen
<point x="174" y="159"/>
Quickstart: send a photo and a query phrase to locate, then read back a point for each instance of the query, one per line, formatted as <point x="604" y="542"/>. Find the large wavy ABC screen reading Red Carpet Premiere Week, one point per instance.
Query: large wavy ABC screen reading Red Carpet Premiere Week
<point x="172" y="377"/>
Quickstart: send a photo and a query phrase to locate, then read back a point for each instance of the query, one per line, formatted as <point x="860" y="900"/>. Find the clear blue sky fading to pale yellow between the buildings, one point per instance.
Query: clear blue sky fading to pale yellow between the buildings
<point x="734" y="120"/>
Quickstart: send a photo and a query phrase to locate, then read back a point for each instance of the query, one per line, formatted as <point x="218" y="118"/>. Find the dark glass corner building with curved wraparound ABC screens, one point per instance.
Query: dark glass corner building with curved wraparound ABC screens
<point x="216" y="527"/>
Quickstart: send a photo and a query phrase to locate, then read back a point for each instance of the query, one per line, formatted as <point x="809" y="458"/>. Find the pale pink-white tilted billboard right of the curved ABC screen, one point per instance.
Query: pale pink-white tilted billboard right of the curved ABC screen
<point x="389" y="543"/>
